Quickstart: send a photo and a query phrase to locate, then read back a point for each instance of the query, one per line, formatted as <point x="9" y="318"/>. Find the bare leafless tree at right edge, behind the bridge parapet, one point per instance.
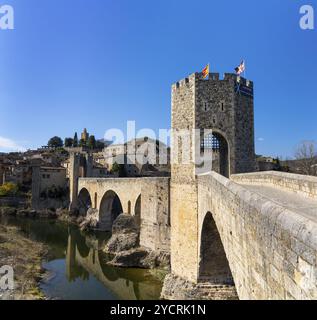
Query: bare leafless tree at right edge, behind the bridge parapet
<point x="306" y="156"/>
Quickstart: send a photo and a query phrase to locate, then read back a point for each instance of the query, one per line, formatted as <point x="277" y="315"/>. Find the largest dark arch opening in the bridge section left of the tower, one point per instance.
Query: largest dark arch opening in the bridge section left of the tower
<point x="110" y="209"/>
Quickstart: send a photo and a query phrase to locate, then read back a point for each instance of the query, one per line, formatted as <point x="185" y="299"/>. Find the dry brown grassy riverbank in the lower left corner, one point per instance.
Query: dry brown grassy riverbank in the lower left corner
<point x="25" y="256"/>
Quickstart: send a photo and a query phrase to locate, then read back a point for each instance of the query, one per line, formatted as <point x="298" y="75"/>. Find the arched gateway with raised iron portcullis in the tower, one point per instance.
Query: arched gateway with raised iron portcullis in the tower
<point x="215" y="144"/>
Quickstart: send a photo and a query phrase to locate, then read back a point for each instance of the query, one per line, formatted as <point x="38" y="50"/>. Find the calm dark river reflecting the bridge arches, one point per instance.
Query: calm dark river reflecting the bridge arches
<point x="77" y="267"/>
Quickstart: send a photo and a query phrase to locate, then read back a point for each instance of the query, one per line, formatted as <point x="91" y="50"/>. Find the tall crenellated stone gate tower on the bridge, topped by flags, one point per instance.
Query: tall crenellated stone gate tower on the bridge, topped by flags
<point x="224" y="106"/>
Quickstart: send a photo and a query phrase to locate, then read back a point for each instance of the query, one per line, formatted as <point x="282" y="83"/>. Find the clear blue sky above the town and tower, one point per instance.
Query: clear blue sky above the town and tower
<point x="98" y="63"/>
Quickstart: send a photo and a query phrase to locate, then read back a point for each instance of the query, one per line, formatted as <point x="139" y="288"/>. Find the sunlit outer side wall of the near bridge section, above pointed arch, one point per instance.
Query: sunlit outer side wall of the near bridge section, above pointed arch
<point x="271" y="251"/>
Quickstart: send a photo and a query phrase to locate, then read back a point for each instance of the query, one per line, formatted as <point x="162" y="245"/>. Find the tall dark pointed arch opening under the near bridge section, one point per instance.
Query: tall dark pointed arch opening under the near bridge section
<point x="213" y="266"/>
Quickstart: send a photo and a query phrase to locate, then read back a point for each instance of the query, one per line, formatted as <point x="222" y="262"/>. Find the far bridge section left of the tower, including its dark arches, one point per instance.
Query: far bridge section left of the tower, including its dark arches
<point x="147" y="199"/>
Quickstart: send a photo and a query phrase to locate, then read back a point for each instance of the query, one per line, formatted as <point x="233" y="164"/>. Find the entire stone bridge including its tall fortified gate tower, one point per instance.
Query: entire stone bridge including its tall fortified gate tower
<point x="238" y="234"/>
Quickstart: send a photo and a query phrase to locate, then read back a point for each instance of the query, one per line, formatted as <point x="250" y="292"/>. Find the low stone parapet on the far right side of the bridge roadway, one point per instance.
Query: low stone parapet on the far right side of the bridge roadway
<point x="300" y="184"/>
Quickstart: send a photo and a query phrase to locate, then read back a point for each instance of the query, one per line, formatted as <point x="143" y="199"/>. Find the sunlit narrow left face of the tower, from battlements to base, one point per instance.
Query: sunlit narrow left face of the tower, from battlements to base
<point x="183" y="185"/>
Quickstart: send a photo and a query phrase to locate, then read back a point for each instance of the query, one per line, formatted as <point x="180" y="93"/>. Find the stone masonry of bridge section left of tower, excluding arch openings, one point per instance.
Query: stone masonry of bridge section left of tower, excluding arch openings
<point x="155" y="212"/>
